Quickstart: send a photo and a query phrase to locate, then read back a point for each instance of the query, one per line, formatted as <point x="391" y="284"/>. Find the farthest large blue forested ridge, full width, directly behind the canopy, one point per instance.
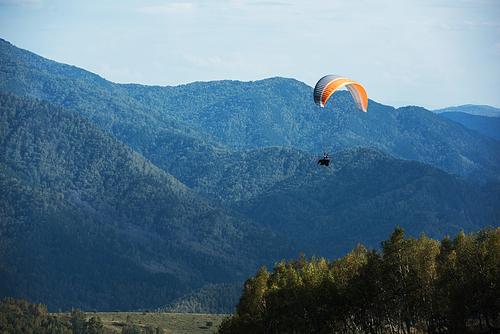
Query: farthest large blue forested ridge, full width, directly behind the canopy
<point x="247" y="115"/>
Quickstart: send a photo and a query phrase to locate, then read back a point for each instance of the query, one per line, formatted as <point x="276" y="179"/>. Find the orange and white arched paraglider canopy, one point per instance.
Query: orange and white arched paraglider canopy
<point x="327" y="85"/>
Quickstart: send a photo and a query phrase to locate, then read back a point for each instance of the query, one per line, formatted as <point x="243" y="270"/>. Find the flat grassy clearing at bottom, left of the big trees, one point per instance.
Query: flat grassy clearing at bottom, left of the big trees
<point x="171" y="323"/>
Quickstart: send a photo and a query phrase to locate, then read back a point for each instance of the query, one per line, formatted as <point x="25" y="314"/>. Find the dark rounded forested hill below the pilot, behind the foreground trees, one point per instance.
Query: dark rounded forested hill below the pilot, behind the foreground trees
<point x="362" y="196"/>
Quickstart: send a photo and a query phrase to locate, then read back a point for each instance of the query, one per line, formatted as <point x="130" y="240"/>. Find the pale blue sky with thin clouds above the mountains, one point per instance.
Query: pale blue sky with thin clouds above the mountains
<point x="429" y="53"/>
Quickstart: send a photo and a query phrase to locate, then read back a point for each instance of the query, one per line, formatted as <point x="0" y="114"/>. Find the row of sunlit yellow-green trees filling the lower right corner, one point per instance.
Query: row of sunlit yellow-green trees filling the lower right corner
<point x="409" y="286"/>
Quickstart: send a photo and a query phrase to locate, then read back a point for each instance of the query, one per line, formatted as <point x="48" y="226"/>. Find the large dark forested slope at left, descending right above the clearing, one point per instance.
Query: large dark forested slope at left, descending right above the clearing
<point x="88" y="222"/>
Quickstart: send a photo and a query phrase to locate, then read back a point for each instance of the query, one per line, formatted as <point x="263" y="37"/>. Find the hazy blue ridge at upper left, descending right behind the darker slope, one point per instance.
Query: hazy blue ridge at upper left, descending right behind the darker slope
<point x="87" y="94"/>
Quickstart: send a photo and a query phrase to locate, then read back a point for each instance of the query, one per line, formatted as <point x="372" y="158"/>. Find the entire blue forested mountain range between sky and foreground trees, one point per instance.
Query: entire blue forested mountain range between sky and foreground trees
<point x="125" y="196"/>
